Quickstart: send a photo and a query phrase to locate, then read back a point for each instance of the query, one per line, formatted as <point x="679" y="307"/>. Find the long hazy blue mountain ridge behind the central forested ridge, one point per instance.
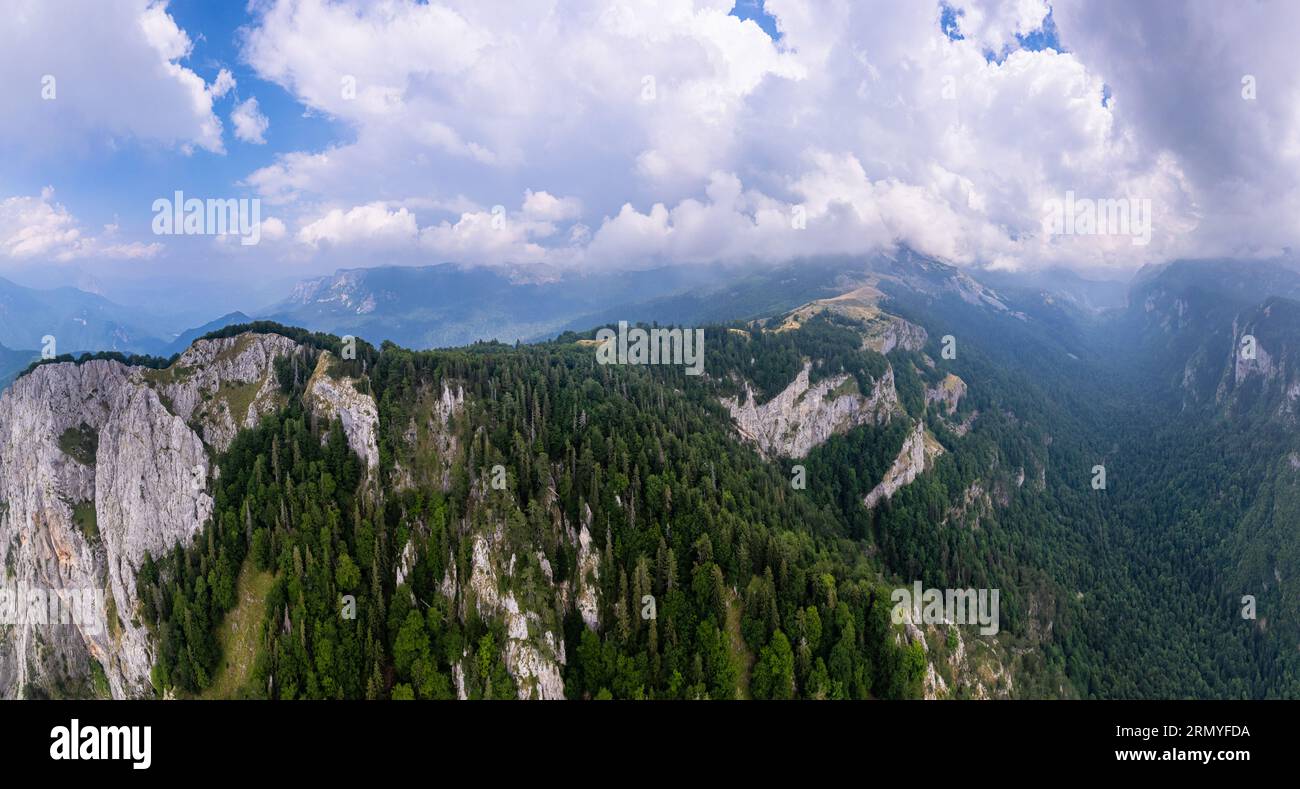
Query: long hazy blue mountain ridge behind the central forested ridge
<point x="444" y="305"/>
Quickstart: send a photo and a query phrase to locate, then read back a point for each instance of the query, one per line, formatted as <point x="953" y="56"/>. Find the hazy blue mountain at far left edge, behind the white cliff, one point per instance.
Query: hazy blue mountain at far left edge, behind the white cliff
<point x="76" y="319"/>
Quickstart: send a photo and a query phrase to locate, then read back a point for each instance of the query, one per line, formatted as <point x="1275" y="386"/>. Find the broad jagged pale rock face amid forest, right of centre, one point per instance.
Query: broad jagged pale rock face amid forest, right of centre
<point x="804" y="417"/>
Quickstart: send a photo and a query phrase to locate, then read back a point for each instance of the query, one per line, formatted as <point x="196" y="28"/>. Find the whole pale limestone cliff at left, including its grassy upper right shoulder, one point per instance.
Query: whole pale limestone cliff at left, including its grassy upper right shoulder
<point x="101" y="463"/>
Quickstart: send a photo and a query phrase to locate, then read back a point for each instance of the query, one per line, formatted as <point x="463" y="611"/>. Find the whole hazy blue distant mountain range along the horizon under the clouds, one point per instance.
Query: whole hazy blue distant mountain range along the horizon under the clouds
<point x="445" y="306"/>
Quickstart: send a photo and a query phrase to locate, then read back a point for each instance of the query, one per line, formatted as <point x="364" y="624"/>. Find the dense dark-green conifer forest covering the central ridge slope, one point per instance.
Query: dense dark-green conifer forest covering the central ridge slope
<point x="756" y="591"/>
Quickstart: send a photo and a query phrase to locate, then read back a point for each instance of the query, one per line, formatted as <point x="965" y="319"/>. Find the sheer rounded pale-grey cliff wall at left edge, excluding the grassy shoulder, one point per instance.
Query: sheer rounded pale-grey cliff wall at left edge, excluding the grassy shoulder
<point x="85" y="523"/>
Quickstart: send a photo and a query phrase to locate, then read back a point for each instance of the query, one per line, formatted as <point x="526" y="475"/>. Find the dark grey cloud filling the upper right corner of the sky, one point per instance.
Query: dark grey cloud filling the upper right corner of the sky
<point x="1219" y="97"/>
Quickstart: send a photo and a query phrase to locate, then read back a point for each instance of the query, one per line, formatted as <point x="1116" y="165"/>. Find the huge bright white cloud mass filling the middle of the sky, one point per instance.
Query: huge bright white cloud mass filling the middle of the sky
<point x="681" y="133"/>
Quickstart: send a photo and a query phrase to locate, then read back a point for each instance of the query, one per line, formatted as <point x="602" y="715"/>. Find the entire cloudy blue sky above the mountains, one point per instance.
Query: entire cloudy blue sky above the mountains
<point x="552" y="136"/>
